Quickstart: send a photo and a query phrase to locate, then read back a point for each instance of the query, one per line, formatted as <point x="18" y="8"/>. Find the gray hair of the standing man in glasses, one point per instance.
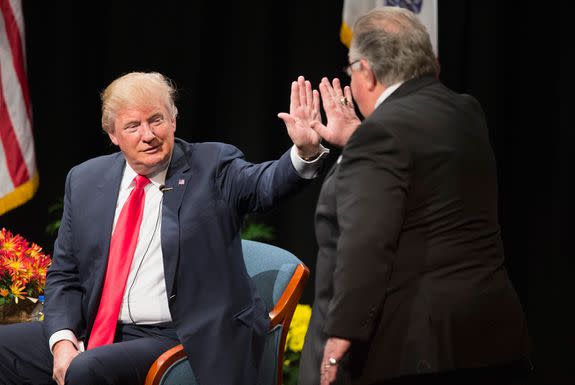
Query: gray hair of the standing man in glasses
<point x="395" y="44"/>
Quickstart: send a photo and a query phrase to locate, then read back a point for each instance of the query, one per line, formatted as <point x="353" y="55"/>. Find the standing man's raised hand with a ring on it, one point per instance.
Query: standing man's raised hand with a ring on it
<point x="342" y="121"/>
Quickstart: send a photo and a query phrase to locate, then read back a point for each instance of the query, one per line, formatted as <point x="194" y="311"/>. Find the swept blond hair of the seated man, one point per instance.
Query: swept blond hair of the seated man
<point x="136" y="89"/>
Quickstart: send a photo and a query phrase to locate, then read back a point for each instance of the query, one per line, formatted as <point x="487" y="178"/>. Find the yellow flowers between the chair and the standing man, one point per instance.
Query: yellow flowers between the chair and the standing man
<point x="294" y="343"/>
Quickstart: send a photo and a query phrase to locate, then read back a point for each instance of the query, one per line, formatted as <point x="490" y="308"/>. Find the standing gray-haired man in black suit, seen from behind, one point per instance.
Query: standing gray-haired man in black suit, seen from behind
<point x="411" y="286"/>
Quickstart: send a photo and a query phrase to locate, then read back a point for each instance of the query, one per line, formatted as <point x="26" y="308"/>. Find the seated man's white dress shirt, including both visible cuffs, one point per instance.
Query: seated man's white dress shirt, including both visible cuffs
<point x="145" y="300"/>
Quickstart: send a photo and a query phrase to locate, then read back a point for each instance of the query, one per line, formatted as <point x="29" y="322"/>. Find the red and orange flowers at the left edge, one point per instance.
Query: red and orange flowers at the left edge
<point x="23" y="269"/>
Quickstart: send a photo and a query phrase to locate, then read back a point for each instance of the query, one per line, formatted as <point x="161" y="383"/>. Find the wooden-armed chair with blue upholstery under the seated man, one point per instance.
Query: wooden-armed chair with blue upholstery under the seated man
<point x="279" y="277"/>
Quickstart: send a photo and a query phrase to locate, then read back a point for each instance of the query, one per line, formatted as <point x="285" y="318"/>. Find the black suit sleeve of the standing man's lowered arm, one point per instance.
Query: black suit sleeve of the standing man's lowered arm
<point x="371" y="198"/>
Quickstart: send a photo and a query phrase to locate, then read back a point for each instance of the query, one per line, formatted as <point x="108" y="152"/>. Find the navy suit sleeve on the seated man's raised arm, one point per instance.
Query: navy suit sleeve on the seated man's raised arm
<point x="256" y="187"/>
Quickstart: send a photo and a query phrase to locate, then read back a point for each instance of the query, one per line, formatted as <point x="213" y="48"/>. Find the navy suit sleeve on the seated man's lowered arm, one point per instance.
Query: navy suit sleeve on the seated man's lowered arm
<point x="63" y="307"/>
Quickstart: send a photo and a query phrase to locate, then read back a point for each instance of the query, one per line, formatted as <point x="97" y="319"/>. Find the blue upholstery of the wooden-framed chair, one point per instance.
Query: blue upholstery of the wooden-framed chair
<point x="271" y="269"/>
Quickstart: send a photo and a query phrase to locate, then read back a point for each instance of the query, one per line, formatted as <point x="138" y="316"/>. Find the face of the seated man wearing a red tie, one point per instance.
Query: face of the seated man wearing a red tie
<point x="146" y="137"/>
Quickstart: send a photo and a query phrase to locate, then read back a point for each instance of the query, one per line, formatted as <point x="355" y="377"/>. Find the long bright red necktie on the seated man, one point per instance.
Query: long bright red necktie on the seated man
<point x="122" y="247"/>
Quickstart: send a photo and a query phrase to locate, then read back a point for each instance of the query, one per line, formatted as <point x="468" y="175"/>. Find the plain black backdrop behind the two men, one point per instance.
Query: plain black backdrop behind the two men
<point x="233" y="64"/>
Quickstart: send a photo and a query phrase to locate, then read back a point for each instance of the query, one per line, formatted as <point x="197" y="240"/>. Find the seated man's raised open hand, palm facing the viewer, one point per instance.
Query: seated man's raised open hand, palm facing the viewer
<point x="304" y="110"/>
